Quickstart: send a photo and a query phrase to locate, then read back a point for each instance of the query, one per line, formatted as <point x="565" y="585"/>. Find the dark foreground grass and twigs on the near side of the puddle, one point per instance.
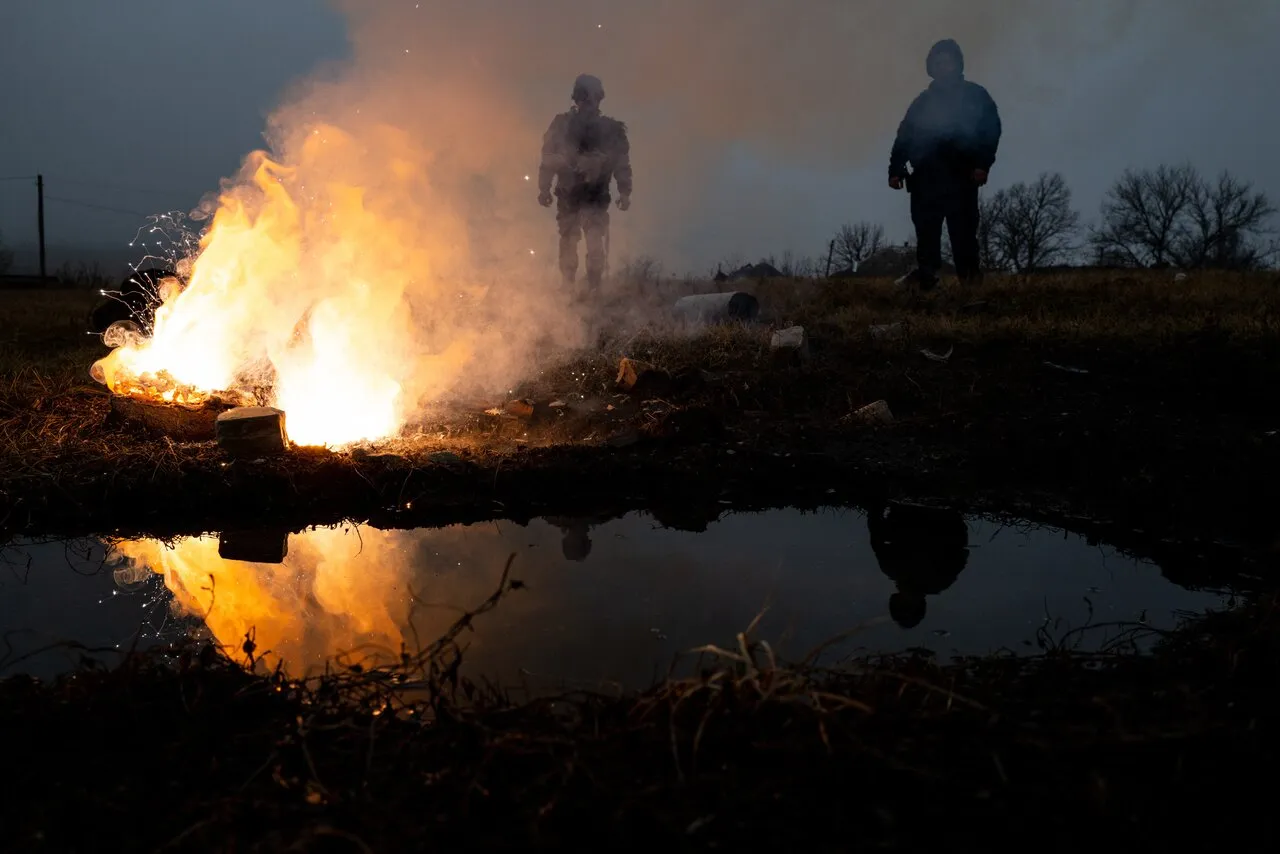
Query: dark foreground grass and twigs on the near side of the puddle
<point x="189" y="751"/>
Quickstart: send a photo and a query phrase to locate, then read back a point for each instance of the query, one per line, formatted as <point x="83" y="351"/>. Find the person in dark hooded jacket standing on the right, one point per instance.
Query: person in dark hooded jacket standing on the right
<point x="949" y="136"/>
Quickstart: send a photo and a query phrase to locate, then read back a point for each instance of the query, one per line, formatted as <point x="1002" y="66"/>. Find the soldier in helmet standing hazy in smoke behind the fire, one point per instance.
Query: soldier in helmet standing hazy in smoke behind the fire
<point x="584" y="150"/>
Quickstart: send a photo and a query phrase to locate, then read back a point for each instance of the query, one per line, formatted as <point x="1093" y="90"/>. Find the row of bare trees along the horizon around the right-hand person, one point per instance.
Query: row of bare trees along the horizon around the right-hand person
<point x="1150" y="218"/>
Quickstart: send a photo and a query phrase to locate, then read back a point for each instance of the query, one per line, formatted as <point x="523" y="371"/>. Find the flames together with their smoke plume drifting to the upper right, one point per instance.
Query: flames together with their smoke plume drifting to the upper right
<point x="392" y="250"/>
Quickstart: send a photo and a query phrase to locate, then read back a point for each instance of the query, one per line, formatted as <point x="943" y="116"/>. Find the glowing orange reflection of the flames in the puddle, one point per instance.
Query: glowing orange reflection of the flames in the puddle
<point x="336" y="596"/>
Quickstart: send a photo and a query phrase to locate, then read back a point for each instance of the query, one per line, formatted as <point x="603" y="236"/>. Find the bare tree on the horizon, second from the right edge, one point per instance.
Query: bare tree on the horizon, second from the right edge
<point x="1141" y="216"/>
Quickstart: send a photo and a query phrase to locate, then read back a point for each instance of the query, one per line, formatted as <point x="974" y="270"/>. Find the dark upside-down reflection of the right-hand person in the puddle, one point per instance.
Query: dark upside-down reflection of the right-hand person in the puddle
<point x="922" y="550"/>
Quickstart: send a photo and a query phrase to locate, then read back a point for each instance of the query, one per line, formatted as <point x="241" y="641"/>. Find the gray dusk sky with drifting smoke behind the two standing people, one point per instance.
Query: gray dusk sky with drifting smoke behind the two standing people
<point x="756" y="129"/>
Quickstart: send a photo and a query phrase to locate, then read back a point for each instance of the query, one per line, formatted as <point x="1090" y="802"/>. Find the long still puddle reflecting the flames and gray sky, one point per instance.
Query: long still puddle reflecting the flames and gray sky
<point x="600" y="602"/>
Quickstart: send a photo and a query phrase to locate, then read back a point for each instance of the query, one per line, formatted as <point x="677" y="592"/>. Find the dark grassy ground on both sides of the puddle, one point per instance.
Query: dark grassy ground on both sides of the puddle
<point x="1130" y="408"/>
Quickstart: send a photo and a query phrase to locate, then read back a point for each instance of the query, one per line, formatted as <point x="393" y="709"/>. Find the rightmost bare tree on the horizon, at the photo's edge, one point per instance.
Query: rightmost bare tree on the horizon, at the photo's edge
<point x="1222" y="226"/>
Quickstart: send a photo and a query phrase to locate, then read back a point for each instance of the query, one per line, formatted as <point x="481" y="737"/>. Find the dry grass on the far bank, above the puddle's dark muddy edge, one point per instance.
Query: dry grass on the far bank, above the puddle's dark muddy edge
<point x="1208" y="344"/>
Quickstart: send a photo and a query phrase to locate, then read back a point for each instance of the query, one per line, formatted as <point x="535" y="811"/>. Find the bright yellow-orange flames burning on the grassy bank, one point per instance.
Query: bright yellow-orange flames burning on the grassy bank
<point x="305" y="286"/>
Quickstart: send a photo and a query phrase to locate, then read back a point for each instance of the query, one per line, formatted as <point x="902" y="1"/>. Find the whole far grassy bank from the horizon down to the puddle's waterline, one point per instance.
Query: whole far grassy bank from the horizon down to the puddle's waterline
<point x="1172" y="412"/>
